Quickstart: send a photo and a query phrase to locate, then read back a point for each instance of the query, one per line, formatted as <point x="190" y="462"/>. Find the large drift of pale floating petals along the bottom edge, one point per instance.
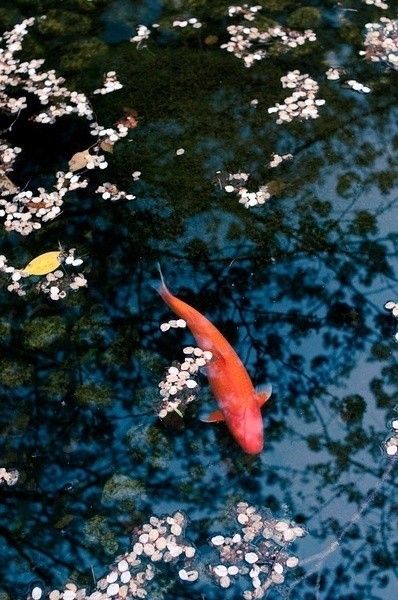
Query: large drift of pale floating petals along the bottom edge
<point x="162" y="540"/>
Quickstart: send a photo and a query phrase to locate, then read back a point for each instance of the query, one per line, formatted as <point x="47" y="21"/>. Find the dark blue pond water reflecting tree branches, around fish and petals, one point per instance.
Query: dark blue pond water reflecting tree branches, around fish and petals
<point x="297" y="286"/>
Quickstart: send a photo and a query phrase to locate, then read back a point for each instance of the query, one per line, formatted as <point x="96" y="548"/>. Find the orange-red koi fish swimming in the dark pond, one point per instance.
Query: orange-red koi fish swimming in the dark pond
<point x="239" y="403"/>
